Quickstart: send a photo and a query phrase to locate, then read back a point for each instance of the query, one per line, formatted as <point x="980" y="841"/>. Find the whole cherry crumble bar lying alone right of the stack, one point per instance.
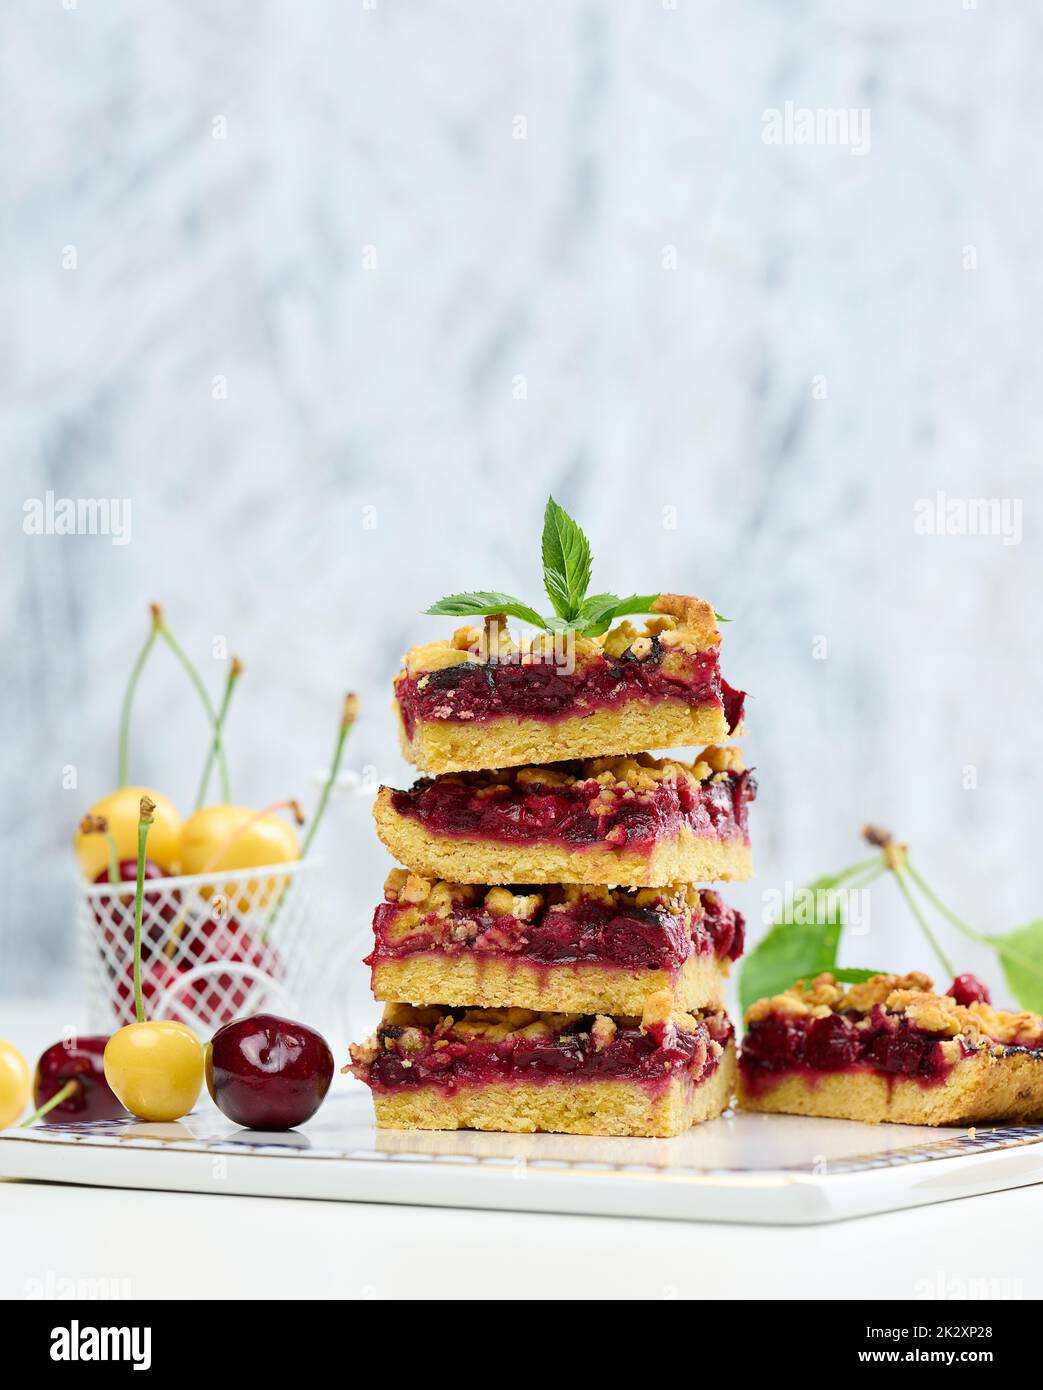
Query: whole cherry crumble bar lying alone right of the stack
<point x="891" y="1050"/>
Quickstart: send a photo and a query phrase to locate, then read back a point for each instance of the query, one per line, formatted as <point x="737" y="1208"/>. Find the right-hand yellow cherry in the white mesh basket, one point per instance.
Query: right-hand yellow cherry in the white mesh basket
<point x="237" y="837"/>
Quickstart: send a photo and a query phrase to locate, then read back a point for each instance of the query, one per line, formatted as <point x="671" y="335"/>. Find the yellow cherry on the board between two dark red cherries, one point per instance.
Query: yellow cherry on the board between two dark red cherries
<point x="155" y="1070"/>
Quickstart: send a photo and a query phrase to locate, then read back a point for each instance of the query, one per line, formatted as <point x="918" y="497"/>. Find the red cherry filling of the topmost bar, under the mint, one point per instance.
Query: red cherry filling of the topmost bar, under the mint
<point x="549" y="690"/>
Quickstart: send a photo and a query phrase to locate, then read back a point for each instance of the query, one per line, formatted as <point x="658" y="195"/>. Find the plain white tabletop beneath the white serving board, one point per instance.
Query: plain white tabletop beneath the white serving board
<point x="59" y="1239"/>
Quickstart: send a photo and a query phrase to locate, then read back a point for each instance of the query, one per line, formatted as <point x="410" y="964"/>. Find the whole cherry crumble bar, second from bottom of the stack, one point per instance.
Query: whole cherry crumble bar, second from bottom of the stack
<point x="571" y="949"/>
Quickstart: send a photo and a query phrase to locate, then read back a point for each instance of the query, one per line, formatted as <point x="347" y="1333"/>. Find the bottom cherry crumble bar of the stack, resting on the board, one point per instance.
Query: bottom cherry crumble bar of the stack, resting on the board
<point x="568" y="1074"/>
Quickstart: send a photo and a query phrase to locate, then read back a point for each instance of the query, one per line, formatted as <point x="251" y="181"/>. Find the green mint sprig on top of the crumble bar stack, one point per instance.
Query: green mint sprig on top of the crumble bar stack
<point x="567" y="559"/>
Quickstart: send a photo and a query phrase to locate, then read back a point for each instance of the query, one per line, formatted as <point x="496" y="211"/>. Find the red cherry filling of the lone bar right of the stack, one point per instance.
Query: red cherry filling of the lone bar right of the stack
<point x="849" y="1042"/>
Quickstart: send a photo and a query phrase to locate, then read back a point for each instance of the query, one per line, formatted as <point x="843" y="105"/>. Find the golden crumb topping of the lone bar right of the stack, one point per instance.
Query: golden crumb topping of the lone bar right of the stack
<point x="912" y="996"/>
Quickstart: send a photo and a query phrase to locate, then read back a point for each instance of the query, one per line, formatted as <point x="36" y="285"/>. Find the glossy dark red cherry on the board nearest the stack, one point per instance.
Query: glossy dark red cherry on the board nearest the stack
<point x="269" y="1074"/>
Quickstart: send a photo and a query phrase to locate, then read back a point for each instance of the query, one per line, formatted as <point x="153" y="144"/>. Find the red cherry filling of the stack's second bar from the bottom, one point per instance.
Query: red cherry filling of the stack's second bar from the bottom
<point x="590" y="931"/>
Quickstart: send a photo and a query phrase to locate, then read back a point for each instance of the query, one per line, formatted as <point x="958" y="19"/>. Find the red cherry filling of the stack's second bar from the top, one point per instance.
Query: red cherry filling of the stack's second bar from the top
<point x="579" y="814"/>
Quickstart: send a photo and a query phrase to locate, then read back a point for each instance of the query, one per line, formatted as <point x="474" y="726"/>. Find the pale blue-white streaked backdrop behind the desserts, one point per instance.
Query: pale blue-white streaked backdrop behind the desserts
<point x="387" y="134"/>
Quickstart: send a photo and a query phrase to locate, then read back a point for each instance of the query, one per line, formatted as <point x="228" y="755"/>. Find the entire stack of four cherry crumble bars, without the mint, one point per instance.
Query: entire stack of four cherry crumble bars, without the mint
<point x="546" y="958"/>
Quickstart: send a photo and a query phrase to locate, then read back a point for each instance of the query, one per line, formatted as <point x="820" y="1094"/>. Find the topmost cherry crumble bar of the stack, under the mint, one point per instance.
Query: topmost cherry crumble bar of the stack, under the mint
<point x="485" y="700"/>
